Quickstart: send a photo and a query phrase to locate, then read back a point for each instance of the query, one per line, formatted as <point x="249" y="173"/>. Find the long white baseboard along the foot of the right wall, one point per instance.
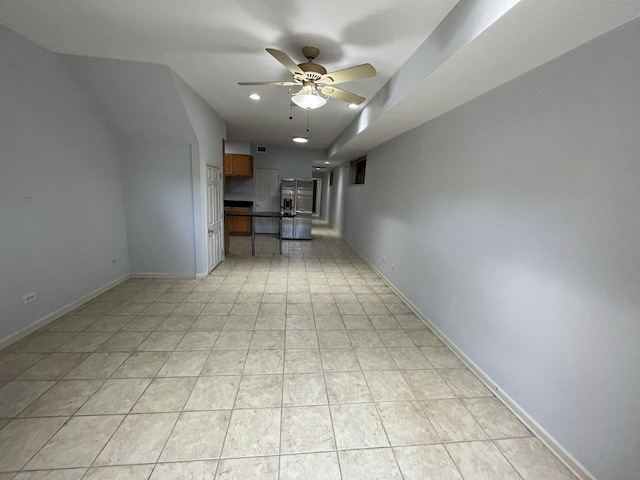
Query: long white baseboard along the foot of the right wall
<point x="539" y="432"/>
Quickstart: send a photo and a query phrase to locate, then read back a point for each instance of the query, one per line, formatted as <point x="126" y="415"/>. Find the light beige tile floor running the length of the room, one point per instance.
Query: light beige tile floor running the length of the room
<point x="301" y="366"/>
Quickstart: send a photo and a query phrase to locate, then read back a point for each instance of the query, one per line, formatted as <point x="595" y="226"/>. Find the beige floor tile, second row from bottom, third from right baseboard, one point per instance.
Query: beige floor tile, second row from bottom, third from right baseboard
<point x="406" y="423"/>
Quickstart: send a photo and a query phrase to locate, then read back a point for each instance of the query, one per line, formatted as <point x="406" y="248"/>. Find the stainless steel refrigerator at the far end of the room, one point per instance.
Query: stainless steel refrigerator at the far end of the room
<point x="296" y="195"/>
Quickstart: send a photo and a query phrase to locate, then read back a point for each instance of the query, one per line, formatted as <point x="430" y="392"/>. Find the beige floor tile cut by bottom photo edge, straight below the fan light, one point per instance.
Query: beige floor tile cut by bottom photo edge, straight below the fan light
<point x="310" y="466"/>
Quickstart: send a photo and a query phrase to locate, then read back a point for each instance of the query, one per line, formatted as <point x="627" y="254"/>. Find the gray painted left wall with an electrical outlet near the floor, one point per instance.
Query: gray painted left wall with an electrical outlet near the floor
<point x="56" y="148"/>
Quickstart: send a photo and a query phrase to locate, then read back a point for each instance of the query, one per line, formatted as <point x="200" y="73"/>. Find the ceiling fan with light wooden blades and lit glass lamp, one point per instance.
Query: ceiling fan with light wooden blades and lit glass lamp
<point x="316" y="85"/>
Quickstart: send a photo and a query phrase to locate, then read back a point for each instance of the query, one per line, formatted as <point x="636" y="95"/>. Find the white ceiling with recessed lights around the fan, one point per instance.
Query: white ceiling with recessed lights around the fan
<point x="213" y="44"/>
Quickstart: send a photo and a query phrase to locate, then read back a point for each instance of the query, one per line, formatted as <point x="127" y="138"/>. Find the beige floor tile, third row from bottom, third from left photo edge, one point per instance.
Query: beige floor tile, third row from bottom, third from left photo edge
<point x="116" y="396"/>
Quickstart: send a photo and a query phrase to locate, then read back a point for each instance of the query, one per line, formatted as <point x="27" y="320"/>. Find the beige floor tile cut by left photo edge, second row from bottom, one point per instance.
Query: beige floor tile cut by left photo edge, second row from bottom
<point x="23" y="438"/>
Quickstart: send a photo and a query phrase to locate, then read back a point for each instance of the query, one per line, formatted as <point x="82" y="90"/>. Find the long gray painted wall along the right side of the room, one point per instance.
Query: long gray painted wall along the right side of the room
<point x="514" y="225"/>
